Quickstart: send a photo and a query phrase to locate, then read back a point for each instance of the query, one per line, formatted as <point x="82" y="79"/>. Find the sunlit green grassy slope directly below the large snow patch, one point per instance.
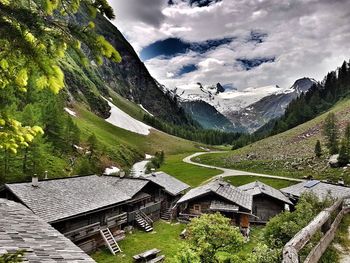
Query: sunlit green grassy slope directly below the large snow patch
<point x="126" y="147"/>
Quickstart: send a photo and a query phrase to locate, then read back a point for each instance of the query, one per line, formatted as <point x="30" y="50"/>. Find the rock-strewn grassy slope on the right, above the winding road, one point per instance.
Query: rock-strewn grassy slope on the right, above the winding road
<point x="288" y="154"/>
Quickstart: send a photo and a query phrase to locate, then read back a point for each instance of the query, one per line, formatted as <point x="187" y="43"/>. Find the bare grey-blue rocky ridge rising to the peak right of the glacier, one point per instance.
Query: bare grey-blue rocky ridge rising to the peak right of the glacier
<point x="270" y="107"/>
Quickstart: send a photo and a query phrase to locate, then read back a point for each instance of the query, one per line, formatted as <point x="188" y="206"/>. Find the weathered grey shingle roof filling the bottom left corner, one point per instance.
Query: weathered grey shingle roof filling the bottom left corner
<point x="20" y="229"/>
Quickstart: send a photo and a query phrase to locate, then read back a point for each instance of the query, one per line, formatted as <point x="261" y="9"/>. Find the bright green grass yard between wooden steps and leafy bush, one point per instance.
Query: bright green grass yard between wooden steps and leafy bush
<point x="164" y="237"/>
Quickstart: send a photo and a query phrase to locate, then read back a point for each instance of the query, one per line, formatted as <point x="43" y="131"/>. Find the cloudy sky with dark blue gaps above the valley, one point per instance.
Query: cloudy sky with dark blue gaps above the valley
<point x="239" y="43"/>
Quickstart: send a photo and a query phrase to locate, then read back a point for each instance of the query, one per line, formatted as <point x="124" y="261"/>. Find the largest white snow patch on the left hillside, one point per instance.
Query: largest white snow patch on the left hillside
<point x="122" y="120"/>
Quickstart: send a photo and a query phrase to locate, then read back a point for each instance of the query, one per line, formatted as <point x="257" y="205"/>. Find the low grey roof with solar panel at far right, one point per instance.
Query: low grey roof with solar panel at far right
<point x="320" y="189"/>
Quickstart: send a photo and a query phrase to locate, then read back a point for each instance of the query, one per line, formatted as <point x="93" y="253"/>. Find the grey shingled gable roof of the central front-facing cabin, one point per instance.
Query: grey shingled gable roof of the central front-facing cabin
<point x="222" y="189"/>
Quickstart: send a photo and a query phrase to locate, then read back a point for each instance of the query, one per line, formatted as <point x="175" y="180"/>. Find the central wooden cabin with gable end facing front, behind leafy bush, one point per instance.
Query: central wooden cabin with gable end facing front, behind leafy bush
<point x="217" y="196"/>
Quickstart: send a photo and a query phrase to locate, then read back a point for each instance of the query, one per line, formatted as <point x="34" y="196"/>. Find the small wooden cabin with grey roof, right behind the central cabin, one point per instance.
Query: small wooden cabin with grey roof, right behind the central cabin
<point x="267" y="201"/>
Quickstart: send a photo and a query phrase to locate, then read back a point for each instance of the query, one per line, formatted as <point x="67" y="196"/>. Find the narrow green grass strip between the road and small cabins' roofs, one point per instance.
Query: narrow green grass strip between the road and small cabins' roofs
<point x="246" y="179"/>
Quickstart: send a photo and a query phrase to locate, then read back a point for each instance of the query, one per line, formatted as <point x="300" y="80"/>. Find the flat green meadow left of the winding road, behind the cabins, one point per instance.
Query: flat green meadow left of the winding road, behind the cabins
<point x="191" y="174"/>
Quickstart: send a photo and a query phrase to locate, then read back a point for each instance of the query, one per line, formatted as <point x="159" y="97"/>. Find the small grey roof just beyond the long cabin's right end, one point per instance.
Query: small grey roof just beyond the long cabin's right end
<point x="171" y="185"/>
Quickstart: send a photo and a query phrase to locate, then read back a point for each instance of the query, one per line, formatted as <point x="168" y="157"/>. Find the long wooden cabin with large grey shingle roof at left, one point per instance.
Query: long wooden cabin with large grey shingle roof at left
<point x="80" y="206"/>
